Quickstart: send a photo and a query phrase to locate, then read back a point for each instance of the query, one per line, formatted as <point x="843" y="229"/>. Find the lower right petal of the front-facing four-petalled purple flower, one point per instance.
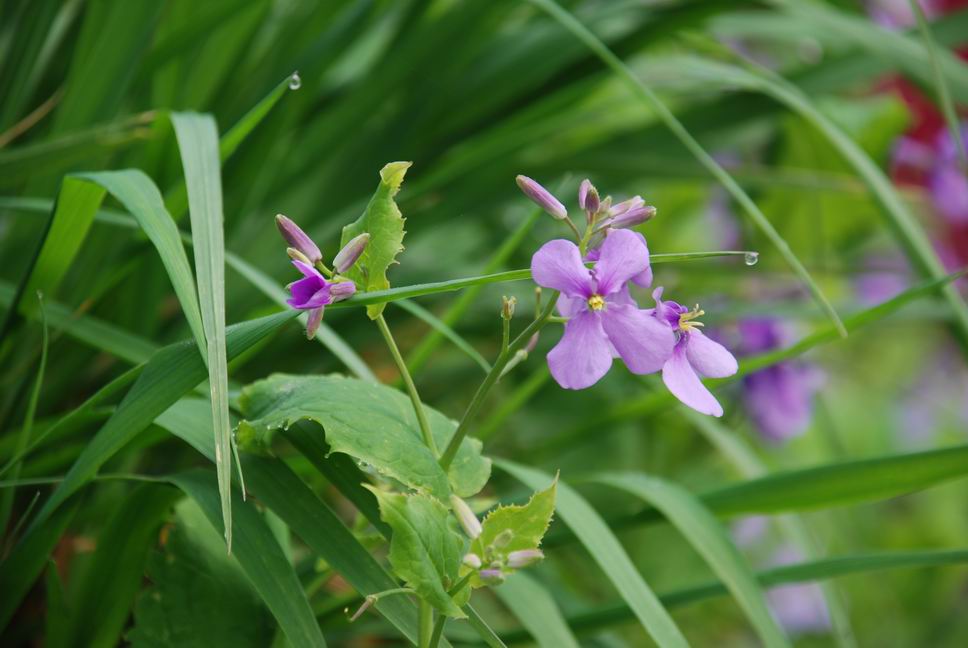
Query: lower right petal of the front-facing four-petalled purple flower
<point x="642" y="341"/>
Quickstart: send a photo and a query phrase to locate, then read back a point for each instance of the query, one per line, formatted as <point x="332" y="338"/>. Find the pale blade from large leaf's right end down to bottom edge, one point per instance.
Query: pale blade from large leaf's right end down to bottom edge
<point x="604" y="547"/>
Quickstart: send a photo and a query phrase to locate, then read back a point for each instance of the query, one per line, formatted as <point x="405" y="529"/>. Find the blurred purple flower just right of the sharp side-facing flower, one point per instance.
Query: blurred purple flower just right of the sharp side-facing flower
<point x="779" y="398"/>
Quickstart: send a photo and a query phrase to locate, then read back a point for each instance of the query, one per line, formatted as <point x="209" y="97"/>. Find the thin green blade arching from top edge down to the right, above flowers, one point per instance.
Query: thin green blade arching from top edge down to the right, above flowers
<point x="644" y="93"/>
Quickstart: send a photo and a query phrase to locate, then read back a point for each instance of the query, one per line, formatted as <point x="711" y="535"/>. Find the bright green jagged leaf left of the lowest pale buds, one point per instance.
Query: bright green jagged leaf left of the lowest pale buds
<point x="425" y="550"/>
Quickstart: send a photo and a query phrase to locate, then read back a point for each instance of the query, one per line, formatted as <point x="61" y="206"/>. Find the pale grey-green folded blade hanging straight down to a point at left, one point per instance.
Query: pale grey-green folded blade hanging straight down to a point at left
<point x="198" y="142"/>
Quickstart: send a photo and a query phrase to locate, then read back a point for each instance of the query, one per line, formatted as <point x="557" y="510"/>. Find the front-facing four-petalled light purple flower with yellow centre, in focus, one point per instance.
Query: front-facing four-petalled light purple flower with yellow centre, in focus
<point x="604" y="320"/>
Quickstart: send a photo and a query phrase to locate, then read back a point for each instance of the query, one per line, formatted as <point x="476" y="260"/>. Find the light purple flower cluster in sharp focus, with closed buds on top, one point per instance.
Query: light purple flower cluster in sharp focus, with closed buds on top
<point x="603" y="319"/>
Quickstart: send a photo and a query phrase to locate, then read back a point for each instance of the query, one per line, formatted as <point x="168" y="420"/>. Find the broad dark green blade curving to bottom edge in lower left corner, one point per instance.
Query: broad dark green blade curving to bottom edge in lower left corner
<point x="108" y="584"/>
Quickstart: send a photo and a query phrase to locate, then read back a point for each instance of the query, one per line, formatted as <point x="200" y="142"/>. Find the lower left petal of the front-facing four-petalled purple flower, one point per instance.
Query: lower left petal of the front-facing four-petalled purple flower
<point x="582" y="356"/>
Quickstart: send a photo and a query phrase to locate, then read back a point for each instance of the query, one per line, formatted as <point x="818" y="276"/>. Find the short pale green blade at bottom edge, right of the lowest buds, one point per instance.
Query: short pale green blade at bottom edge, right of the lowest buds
<point x="535" y="607"/>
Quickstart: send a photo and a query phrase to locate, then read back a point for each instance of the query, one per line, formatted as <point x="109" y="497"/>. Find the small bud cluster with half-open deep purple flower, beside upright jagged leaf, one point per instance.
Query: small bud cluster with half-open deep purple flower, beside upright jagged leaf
<point x="315" y="291"/>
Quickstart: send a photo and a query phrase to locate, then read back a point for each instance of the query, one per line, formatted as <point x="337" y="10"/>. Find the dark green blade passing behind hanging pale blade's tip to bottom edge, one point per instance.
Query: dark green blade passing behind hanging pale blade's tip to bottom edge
<point x="261" y="558"/>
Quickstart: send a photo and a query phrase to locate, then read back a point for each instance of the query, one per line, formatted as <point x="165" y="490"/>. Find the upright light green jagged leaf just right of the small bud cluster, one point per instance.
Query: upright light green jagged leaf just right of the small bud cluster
<point x="384" y="222"/>
